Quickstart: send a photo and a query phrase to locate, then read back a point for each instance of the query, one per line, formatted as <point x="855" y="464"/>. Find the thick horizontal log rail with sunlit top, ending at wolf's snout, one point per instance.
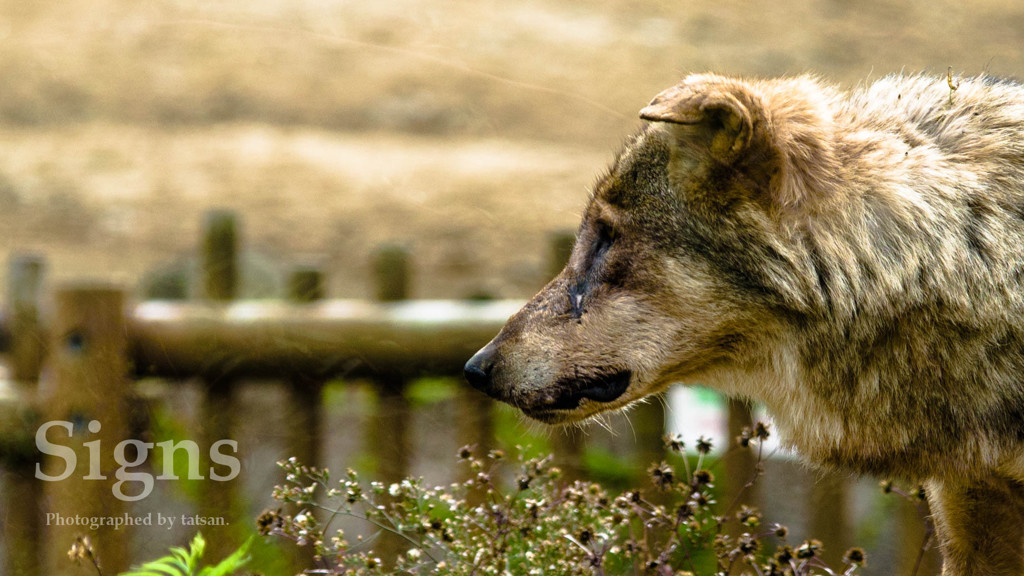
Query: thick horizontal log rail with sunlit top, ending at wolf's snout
<point x="330" y="339"/>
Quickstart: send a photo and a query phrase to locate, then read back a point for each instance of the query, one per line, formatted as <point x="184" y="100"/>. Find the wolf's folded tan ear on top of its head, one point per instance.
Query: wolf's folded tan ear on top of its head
<point x="719" y="105"/>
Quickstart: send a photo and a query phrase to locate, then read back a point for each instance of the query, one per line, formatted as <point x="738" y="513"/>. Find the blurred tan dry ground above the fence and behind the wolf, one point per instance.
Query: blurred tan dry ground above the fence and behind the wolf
<point x="466" y="132"/>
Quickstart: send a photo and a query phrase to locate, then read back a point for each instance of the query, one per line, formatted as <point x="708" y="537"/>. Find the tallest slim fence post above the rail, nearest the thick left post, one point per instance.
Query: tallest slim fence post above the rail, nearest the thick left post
<point x="220" y="283"/>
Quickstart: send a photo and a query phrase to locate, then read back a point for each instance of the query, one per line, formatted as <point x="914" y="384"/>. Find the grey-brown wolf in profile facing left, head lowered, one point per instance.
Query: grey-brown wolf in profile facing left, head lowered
<point x="854" y="261"/>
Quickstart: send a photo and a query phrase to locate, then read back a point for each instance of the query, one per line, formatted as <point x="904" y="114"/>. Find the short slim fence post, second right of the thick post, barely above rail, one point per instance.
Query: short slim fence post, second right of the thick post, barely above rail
<point x="306" y="402"/>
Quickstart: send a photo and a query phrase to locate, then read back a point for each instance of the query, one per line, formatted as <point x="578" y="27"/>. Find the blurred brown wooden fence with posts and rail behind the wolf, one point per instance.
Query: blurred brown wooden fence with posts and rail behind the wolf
<point x="79" y="366"/>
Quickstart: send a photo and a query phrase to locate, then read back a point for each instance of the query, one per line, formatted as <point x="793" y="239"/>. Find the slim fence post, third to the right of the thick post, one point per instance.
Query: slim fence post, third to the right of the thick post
<point x="390" y="436"/>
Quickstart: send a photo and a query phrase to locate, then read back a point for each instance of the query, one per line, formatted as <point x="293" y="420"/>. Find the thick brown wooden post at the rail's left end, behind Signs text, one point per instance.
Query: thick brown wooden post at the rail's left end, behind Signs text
<point x="87" y="389"/>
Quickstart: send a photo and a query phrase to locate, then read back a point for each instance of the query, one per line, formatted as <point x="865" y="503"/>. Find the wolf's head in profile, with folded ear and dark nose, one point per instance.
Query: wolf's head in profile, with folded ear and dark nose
<point x="678" y="272"/>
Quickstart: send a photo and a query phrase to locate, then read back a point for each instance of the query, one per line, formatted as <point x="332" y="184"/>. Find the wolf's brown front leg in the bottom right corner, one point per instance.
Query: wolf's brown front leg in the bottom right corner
<point x="980" y="526"/>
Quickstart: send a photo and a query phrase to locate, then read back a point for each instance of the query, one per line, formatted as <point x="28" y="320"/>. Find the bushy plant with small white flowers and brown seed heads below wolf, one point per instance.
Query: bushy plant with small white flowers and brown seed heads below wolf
<point x="541" y="525"/>
